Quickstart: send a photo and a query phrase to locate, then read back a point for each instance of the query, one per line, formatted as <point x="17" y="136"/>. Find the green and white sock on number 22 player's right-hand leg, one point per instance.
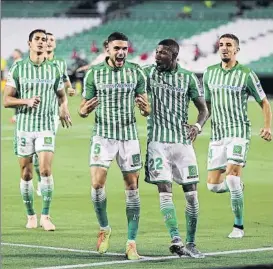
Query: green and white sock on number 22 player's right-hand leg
<point x="191" y="213"/>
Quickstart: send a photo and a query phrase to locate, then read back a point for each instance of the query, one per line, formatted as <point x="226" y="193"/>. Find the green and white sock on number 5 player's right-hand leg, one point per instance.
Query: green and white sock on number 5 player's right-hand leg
<point x="132" y="212"/>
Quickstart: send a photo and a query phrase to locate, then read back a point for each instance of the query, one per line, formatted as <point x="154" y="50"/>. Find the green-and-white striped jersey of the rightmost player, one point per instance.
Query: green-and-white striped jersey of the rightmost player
<point x="228" y="92"/>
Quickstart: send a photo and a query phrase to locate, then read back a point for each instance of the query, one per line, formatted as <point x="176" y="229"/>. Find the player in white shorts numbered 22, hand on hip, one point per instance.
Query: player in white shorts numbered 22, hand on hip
<point x="170" y="154"/>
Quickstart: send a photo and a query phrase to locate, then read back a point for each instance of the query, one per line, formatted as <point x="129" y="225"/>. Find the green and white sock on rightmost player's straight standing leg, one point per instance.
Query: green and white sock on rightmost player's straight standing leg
<point x="237" y="198"/>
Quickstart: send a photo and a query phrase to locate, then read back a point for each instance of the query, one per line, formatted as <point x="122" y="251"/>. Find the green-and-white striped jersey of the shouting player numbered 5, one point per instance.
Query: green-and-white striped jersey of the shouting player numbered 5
<point x="116" y="89"/>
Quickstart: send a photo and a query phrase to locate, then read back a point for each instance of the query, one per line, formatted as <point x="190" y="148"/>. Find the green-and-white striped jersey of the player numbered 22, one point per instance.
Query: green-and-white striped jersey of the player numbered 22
<point x="170" y="94"/>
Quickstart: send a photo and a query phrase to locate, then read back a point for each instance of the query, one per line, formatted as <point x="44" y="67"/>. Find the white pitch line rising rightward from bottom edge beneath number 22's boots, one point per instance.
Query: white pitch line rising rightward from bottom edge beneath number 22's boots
<point x="145" y="259"/>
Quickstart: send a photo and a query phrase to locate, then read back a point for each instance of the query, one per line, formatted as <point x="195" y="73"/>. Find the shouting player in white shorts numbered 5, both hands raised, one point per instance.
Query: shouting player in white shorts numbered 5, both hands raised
<point x="112" y="87"/>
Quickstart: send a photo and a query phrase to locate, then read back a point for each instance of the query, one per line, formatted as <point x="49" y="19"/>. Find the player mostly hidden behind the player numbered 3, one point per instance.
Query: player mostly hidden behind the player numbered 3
<point x="50" y="55"/>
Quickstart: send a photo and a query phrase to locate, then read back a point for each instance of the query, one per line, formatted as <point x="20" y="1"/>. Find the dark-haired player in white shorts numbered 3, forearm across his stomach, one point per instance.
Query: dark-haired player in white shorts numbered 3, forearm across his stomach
<point x="32" y="88"/>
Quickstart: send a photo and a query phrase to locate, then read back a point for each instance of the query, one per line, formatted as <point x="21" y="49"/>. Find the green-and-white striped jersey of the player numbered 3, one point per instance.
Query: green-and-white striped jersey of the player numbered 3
<point x="30" y="80"/>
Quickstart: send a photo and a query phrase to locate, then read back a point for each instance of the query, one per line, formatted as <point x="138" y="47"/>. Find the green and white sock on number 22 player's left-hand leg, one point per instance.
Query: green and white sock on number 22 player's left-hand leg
<point x="168" y="211"/>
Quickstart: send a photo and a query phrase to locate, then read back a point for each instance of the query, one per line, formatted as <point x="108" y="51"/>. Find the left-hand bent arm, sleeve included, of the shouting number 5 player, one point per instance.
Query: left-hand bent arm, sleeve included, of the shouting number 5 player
<point x="89" y="101"/>
